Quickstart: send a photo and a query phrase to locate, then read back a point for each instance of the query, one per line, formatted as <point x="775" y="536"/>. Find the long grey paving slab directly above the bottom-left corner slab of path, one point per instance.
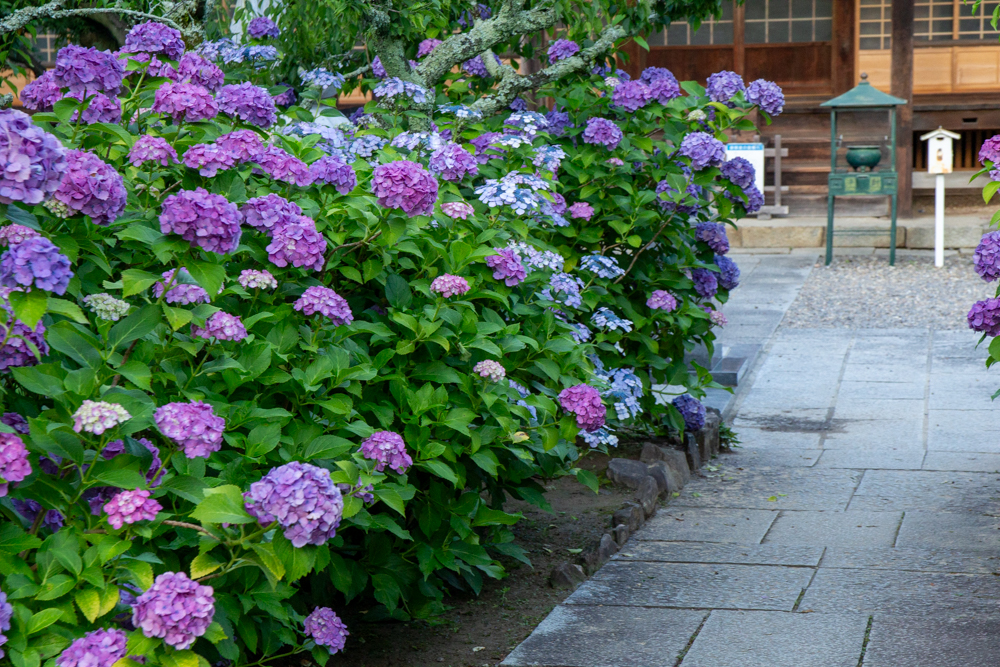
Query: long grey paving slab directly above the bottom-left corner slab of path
<point x="694" y="585"/>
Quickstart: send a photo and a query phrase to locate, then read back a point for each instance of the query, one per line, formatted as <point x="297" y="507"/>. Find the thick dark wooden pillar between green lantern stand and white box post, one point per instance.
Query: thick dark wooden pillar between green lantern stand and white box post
<point x="902" y="86"/>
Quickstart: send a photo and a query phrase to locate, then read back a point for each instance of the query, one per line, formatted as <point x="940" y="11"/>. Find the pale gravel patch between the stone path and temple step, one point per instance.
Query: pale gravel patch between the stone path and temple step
<point x="865" y="292"/>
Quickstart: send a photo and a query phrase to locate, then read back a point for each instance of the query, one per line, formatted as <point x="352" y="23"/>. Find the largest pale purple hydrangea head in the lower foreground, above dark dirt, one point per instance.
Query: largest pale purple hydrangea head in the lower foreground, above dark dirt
<point x="302" y="499"/>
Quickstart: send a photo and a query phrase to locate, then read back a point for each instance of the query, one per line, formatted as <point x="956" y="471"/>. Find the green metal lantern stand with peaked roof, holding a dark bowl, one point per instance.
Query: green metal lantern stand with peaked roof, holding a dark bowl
<point x="862" y="152"/>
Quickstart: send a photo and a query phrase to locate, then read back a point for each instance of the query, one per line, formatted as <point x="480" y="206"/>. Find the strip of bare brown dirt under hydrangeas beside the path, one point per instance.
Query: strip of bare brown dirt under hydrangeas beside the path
<point x="481" y="631"/>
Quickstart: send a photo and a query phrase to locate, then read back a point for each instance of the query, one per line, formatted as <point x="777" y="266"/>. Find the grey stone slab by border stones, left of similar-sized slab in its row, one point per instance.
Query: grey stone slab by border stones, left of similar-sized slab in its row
<point x="708" y="525"/>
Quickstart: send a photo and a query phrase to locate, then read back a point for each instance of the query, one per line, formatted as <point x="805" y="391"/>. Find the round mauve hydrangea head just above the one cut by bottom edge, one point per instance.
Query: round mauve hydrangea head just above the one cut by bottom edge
<point x="174" y="609"/>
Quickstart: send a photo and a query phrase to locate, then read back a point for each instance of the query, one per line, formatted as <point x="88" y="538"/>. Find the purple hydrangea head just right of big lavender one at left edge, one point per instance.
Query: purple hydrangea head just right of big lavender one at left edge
<point x="92" y="187"/>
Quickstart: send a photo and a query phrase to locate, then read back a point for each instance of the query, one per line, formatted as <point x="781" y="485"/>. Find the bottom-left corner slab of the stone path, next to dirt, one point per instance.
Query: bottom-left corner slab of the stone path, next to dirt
<point x="579" y="636"/>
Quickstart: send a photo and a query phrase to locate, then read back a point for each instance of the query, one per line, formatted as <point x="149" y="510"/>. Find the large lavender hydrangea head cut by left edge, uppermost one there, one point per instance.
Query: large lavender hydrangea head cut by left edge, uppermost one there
<point x="34" y="160"/>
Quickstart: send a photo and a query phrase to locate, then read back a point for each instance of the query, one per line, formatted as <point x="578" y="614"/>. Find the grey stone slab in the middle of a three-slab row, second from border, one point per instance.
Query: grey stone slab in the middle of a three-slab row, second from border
<point x="840" y="528"/>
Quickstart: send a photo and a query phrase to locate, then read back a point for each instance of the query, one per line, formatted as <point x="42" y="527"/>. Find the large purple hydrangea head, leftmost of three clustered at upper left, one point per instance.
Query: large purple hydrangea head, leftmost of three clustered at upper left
<point x="203" y="219"/>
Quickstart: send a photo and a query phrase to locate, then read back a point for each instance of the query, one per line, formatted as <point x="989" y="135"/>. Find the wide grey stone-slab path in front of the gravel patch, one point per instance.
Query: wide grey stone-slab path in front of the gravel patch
<point x="859" y="525"/>
